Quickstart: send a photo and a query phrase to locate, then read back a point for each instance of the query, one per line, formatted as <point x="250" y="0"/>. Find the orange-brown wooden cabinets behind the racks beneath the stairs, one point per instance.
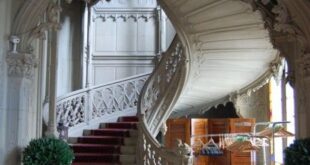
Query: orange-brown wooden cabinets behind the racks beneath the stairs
<point x="185" y="128"/>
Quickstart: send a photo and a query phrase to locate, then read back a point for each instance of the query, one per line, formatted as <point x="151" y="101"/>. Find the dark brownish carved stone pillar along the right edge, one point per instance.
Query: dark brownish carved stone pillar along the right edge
<point x="294" y="20"/>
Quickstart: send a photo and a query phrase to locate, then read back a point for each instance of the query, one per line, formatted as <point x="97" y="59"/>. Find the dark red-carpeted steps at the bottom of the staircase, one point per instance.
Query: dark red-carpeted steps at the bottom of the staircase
<point x="111" y="144"/>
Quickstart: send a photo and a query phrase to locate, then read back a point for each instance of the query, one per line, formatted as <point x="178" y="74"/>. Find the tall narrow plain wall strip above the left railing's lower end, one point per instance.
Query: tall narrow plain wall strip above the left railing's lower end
<point x="69" y="48"/>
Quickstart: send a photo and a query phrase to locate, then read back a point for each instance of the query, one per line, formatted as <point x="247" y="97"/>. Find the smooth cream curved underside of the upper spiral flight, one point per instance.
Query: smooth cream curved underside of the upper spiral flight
<point x="230" y="49"/>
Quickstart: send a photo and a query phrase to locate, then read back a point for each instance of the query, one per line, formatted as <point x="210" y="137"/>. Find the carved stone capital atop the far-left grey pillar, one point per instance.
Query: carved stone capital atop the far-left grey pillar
<point x="21" y="64"/>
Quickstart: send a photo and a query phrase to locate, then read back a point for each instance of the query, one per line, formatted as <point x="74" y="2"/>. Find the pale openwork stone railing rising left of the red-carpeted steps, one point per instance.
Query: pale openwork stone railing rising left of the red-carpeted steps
<point x="86" y="106"/>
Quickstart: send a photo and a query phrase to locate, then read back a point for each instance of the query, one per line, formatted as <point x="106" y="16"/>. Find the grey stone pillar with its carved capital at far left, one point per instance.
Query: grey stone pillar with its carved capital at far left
<point x="19" y="101"/>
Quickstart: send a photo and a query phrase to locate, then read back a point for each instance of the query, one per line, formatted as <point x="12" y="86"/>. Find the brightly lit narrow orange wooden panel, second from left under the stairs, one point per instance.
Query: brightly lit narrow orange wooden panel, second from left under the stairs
<point x="199" y="127"/>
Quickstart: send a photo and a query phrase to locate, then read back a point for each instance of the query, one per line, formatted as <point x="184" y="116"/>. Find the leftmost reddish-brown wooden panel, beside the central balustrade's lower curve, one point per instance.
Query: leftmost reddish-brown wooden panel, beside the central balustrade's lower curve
<point x="177" y="129"/>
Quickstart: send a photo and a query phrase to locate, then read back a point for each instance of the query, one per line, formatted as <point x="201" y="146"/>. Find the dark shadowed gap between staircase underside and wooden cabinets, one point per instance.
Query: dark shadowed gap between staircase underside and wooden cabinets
<point x="222" y="111"/>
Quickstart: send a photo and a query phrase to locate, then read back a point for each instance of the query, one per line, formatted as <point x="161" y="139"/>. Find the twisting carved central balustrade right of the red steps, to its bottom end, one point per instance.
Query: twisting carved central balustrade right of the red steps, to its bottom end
<point x="155" y="105"/>
